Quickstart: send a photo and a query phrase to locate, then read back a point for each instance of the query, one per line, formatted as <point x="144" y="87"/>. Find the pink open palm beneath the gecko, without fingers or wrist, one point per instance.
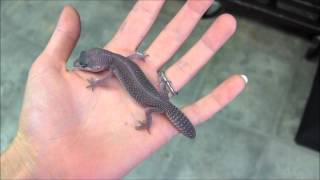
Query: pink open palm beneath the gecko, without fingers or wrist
<point x="96" y="127"/>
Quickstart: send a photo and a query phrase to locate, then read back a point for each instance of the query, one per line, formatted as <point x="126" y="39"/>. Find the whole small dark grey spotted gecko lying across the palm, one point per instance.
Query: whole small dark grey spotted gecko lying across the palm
<point x="137" y="85"/>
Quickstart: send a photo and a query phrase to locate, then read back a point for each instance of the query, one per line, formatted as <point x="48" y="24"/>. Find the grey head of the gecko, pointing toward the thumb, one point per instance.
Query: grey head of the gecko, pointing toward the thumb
<point x="93" y="60"/>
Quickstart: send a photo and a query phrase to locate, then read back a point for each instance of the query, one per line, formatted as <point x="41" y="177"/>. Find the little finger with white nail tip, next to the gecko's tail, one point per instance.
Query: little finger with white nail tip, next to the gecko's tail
<point x="204" y="108"/>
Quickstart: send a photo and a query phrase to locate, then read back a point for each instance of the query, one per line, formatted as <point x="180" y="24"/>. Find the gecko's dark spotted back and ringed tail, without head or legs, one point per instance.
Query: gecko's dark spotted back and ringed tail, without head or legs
<point x="141" y="89"/>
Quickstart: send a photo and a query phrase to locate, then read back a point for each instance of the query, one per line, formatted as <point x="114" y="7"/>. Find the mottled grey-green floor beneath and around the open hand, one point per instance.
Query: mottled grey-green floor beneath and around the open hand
<point x="251" y="138"/>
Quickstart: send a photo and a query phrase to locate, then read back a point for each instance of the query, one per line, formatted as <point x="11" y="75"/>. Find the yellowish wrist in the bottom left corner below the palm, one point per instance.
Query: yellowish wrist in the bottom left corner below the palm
<point x="18" y="160"/>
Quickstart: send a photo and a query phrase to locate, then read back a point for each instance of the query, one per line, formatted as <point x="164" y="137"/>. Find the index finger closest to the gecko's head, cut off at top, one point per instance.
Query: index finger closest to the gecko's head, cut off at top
<point x="135" y="26"/>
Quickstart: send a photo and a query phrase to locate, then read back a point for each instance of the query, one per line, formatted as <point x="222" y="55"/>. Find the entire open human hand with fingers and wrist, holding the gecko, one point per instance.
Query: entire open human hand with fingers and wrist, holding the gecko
<point x="68" y="131"/>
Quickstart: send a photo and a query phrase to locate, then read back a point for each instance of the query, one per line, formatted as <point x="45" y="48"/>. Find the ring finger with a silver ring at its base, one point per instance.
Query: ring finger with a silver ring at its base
<point x="184" y="69"/>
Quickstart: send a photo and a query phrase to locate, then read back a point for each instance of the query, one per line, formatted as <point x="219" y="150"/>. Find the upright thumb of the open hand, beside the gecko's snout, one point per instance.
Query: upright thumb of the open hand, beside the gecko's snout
<point x="64" y="37"/>
